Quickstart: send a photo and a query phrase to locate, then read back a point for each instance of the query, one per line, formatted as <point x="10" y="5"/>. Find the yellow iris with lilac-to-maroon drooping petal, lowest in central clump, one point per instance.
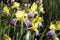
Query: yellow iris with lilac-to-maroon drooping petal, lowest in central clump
<point x="32" y="25"/>
